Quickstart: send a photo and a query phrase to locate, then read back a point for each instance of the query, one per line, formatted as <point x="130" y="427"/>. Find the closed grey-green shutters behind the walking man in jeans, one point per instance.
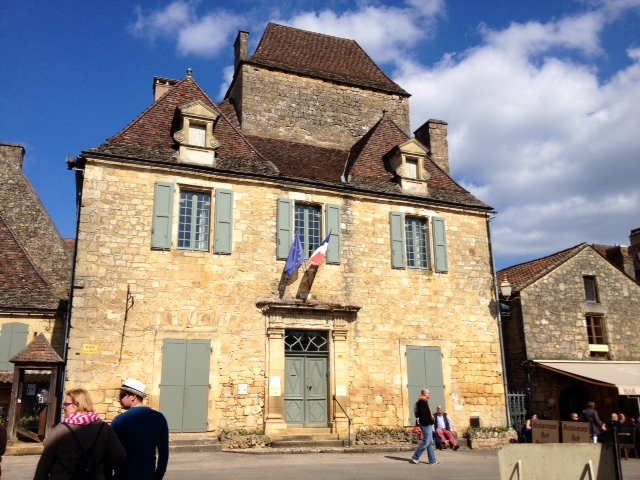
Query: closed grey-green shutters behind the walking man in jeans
<point x="424" y="370"/>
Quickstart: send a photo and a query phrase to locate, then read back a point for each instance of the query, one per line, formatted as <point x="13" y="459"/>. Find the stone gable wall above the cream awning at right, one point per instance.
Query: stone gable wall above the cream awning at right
<point x="554" y="309"/>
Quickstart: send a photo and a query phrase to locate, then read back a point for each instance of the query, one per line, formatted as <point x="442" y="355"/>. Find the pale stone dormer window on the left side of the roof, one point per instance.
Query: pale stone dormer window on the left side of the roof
<point x="196" y="140"/>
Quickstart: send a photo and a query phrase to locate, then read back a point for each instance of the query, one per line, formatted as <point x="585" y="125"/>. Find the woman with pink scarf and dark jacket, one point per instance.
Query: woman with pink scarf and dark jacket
<point x="62" y="449"/>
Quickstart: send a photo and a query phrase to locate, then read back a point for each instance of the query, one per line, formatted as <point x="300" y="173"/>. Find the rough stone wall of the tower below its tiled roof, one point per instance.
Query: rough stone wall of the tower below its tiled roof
<point x="271" y="103"/>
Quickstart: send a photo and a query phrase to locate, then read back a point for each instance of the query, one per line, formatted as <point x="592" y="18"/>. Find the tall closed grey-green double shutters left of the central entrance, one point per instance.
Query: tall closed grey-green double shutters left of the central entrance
<point x="184" y="387"/>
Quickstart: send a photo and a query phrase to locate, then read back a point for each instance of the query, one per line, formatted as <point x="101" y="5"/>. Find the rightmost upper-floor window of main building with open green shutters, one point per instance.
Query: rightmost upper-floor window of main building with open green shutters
<point x="418" y="243"/>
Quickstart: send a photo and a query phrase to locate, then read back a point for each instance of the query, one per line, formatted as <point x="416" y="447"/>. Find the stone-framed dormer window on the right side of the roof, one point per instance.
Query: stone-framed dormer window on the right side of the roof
<point x="407" y="161"/>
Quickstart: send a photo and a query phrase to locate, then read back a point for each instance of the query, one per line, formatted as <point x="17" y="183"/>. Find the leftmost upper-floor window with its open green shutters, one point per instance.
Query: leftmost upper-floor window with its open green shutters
<point x="194" y="222"/>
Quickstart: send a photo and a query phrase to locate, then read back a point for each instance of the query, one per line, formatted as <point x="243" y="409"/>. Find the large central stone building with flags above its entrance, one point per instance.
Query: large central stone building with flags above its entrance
<point x="188" y="216"/>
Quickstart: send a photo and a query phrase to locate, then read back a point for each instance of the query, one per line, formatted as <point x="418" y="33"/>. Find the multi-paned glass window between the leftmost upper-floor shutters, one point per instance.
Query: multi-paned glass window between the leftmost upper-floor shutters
<point x="193" y="228"/>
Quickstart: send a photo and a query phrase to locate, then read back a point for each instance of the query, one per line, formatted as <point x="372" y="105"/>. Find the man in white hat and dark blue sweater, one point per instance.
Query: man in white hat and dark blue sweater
<point x="142" y="431"/>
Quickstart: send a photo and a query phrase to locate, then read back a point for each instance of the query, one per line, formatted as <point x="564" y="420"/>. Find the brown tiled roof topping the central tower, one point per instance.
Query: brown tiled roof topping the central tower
<point x="323" y="56"/>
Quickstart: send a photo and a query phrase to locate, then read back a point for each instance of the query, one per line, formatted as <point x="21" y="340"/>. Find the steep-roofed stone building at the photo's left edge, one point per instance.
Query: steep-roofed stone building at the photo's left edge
<point x="35" y="277"/>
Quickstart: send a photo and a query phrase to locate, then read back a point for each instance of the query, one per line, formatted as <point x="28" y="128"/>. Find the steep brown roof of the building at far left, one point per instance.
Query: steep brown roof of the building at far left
<point x="35" y="263"/>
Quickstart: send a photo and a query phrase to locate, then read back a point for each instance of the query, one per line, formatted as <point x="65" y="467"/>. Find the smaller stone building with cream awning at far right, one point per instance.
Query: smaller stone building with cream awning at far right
<point x="570" y="333"/>
